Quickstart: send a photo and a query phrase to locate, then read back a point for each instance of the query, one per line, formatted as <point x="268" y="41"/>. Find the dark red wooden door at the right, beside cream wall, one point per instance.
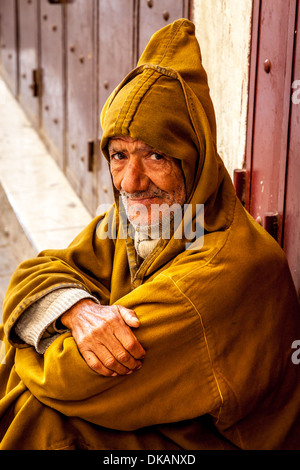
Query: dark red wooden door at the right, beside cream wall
<point x="272" y="154"/>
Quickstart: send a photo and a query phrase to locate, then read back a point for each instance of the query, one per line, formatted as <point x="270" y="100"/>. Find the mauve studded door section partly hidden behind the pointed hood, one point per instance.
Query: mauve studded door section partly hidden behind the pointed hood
<point x="125" y="27"/>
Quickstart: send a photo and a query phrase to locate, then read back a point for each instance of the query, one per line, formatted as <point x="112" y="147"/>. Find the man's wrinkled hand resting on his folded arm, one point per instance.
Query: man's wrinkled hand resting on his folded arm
<point x="104" y="337"/>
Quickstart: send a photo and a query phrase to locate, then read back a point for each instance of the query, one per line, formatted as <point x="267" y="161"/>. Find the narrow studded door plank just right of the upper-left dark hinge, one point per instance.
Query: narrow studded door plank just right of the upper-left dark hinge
<point x="53" y="78"/>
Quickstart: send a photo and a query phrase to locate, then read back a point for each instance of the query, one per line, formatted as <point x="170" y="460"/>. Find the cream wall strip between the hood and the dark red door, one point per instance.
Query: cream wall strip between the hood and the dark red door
<point x="223" y="28"/>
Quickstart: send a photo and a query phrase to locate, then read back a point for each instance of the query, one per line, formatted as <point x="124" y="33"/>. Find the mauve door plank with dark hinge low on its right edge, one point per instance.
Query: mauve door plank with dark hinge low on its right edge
<point x="81" y="98"/>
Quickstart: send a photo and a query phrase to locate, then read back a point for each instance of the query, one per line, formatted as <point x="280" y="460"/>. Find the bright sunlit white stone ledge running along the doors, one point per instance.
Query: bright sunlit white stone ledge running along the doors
<point x="47" y="207"/>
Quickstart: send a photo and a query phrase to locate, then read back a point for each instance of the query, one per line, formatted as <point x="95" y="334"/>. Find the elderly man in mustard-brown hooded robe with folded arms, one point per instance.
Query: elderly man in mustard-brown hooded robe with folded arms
<point x="132" y="338"/>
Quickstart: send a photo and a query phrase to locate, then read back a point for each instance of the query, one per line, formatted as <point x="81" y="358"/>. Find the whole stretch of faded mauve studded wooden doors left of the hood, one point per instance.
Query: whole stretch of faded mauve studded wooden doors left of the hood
<point x="71" y="55"/>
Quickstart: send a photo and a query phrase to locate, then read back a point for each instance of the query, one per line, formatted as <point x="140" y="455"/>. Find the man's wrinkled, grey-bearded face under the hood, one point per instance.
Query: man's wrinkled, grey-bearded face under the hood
<point x="145" y="179"/>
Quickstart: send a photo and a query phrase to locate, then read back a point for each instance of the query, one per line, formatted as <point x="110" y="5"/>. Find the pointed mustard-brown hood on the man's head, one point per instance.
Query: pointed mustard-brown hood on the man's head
<point x="165" y="102"/>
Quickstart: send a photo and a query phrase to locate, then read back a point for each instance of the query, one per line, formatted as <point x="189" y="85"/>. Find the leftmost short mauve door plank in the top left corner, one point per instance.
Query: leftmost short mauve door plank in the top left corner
<point x="8" y="43"/>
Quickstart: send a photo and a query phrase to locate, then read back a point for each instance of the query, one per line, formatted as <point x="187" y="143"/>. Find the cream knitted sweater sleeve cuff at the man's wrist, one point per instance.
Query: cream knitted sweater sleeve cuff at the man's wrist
<point x="38" y="326"/>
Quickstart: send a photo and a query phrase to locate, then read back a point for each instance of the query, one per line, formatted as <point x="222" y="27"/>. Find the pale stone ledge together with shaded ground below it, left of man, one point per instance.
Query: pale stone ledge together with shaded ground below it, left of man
<point x="38" y="208"/>
